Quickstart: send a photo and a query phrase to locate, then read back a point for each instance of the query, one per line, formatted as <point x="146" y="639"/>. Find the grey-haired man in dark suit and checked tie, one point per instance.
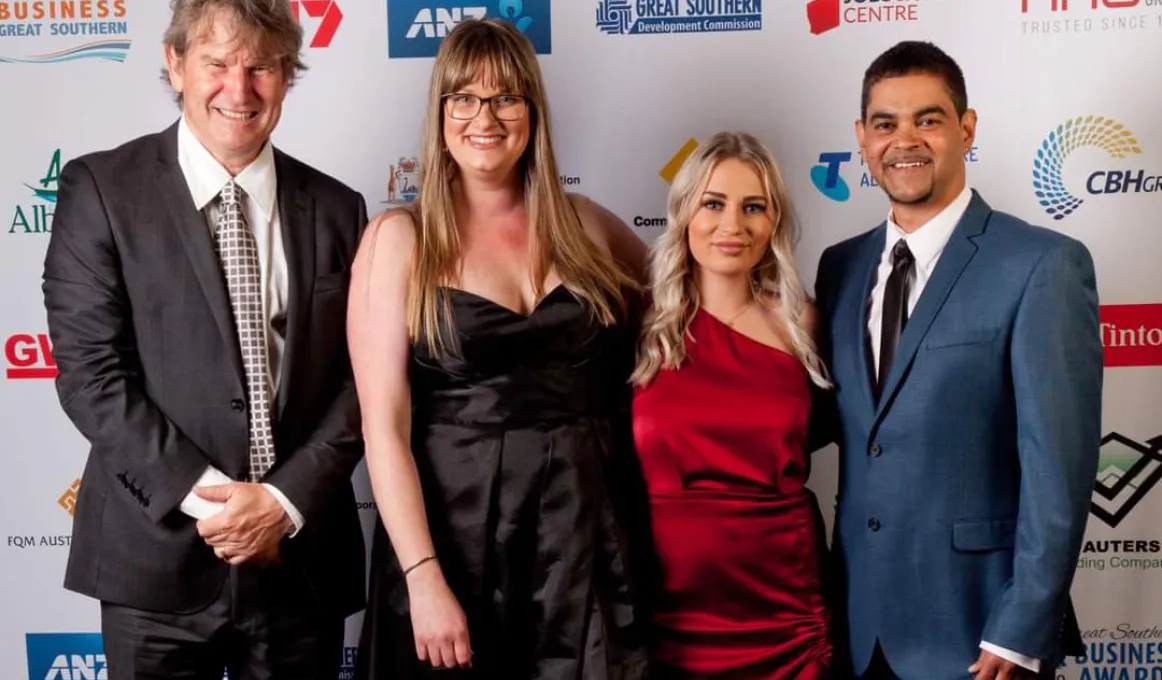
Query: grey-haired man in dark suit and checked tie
<point x="196" y="288"/>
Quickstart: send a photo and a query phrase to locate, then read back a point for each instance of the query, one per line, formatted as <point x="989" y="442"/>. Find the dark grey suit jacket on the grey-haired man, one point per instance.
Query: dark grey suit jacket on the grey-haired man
<point x="152" y="376"/>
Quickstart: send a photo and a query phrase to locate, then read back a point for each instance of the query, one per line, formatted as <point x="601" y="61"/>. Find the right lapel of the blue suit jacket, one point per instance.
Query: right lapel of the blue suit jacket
<point x="956" y="257"/>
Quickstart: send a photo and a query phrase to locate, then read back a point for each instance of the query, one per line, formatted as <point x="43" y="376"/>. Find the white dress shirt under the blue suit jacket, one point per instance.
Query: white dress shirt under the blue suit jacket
<point x="927" y="244"/>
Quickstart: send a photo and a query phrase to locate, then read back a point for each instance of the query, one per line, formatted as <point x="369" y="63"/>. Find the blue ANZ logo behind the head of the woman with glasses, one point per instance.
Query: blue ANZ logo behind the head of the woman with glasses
<point x="415" y="28"/>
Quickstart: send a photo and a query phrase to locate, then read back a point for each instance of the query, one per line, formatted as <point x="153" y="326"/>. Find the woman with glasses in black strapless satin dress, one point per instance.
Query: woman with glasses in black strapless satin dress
<point x="489" y="343"/>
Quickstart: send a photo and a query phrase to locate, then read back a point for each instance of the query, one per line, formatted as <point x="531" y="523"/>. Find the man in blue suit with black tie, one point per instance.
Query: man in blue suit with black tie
<point x="965" y="349"/>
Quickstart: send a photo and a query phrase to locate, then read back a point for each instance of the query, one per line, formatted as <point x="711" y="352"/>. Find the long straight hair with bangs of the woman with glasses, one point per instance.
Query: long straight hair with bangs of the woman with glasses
<point x="497" y="48"/>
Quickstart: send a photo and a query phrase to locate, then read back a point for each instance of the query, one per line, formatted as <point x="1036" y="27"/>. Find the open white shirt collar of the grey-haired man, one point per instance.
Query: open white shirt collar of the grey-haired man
<point x="206" y="177"/>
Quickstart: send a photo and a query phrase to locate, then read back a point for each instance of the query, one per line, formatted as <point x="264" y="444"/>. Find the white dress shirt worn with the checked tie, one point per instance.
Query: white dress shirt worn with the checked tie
<point x="206" y="177"/>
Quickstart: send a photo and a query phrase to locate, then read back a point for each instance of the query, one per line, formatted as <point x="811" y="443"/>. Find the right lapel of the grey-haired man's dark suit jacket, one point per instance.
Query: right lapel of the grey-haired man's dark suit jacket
<point x="298" y="224"/>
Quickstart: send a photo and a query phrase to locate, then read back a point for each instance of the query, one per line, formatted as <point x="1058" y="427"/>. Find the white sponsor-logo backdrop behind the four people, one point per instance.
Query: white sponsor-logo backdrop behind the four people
<point x="630" y="84"/>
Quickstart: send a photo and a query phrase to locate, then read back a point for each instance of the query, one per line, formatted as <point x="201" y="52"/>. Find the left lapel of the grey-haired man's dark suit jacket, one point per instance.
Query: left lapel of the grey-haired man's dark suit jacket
<point x="197" y="240"/>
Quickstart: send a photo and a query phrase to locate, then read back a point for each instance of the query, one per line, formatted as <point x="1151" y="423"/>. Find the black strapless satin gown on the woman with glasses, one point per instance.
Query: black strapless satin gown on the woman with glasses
<point x="512" y="436"/>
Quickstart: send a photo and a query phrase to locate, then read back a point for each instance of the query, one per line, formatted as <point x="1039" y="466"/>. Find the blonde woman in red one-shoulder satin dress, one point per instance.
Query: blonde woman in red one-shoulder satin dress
<point x="723" y="391"/>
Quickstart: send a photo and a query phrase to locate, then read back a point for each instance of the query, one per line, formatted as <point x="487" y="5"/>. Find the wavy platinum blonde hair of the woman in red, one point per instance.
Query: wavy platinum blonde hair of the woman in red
<point x="676" y="297"/>
